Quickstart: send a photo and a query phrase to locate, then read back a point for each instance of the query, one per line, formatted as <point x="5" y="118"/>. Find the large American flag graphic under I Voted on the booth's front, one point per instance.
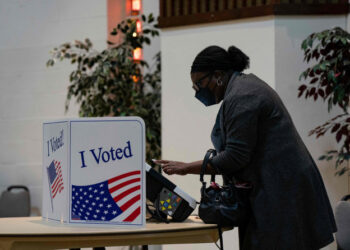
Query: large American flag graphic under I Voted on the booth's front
<point x="118" y="197"/>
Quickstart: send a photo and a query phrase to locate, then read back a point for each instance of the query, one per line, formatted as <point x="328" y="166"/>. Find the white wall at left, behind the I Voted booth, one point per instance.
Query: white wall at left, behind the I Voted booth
<point x="29" y="92"/>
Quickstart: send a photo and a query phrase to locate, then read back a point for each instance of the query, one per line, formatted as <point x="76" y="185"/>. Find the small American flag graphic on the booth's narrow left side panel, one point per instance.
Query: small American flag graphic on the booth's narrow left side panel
<point x="55" y="178"/>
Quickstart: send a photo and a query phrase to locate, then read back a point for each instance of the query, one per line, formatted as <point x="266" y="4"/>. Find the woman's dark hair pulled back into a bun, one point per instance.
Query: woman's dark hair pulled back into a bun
<point x="216" y="58"/>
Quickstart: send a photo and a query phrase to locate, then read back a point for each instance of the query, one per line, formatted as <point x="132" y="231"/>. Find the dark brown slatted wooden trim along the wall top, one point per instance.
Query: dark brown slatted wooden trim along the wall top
<point x="272" y="7"/>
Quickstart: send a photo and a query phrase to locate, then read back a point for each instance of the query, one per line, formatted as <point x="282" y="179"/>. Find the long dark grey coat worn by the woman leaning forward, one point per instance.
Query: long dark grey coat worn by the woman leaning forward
<point x="291" y="209"/>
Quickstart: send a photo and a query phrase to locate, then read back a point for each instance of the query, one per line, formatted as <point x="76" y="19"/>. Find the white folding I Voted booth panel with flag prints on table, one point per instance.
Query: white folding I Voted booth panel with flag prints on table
<point x="93" y="171"/>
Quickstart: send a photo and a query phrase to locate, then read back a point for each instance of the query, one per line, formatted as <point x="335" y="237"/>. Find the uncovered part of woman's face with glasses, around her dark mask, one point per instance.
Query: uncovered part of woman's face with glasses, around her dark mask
<point x="209" y="80"/>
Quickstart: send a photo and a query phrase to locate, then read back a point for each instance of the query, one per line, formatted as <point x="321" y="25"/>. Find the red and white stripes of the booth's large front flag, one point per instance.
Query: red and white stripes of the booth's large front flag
<point x="125" y="189"/>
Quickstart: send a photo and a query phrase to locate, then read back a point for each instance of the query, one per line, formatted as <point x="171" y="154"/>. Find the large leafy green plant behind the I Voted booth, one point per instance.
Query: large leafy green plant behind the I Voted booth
<point x="111" y="83"/>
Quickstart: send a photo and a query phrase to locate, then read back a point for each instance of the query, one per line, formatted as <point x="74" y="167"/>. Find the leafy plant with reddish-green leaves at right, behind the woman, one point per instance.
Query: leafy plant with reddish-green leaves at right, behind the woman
<point x="329" y="78"/>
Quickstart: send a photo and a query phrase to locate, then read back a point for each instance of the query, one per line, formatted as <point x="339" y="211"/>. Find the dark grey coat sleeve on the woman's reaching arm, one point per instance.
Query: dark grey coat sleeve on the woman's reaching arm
<point x="240" y="125"/>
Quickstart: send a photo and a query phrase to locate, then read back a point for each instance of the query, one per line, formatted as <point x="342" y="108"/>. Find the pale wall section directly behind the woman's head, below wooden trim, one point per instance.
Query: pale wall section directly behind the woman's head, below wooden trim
<point x="186" y="123"/>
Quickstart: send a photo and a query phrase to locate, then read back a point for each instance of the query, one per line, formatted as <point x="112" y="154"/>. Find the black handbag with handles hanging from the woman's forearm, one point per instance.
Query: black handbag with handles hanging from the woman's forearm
<point x="226" y="205"/>
